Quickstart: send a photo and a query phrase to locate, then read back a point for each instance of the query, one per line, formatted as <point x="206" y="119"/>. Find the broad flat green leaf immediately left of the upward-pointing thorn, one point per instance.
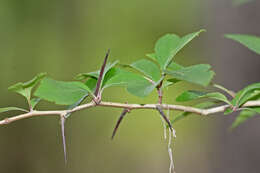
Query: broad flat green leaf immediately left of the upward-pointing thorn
<point x="60" y="92"/>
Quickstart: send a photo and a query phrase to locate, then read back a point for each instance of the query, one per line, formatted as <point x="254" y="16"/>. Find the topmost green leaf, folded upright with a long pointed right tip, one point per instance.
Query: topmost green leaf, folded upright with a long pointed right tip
<point x="169" y="45"/>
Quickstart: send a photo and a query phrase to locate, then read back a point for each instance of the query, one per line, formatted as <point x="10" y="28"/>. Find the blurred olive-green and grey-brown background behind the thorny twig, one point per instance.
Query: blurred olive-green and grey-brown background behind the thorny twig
<point x="65" y="38"/>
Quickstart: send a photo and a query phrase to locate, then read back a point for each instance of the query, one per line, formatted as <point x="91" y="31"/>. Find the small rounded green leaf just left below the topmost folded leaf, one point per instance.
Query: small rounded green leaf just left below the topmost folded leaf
<point x="148" y="68"/>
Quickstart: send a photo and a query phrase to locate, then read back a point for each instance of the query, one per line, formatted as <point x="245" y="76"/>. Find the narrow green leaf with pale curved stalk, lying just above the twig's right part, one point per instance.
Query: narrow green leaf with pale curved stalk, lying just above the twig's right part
<point x="191" y="95"/>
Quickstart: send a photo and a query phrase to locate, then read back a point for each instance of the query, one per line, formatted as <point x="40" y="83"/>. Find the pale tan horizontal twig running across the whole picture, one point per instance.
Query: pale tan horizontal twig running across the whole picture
<point x="198" y="111"/>
